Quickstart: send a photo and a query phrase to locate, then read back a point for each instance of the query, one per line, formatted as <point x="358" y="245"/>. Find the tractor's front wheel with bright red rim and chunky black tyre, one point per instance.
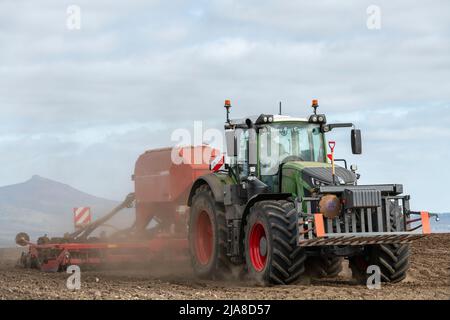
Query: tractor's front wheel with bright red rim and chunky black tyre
<point x="283" y="259"/>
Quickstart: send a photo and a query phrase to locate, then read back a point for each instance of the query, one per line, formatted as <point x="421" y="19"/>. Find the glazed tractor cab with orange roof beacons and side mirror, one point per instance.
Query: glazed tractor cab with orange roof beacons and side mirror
<point x="269" y="147"/>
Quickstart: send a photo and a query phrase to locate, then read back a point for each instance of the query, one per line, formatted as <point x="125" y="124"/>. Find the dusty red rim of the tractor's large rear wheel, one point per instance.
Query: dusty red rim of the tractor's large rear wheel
<point x="203" y="238"/>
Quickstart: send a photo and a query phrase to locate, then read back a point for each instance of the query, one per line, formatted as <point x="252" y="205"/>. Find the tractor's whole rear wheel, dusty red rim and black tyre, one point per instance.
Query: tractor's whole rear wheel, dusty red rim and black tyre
<point x="207" y="236"/>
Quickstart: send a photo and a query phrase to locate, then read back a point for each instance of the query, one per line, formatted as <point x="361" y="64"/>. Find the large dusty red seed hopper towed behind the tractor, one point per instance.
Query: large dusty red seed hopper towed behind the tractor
<point x="161" y="186"/>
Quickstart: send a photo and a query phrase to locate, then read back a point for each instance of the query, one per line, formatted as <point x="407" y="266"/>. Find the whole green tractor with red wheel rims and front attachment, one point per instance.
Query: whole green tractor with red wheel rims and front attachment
<point x="282" y="206"/>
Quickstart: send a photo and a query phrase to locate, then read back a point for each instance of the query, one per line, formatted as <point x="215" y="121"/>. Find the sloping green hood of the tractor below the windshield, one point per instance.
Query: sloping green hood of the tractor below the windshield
<point x="316" y="174"/>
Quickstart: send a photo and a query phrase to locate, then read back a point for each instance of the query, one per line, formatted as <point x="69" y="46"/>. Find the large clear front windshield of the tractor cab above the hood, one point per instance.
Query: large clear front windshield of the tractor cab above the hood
<point x="299" y="142"/>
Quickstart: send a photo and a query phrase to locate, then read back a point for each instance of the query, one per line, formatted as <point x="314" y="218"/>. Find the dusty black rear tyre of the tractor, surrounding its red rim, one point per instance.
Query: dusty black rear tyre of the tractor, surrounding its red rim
<point x="218" y="264"/>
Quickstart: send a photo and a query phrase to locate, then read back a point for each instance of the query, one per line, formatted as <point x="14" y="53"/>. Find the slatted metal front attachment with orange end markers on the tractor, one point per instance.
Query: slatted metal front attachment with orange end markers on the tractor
<point x="372" y="214"/>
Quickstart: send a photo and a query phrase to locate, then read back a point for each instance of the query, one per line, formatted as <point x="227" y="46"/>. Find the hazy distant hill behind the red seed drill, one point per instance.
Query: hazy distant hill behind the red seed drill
<point x="39" y="205"/>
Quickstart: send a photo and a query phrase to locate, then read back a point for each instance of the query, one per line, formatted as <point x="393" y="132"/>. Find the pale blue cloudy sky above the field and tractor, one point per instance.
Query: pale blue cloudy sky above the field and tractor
<point x="79" y="105"/>
